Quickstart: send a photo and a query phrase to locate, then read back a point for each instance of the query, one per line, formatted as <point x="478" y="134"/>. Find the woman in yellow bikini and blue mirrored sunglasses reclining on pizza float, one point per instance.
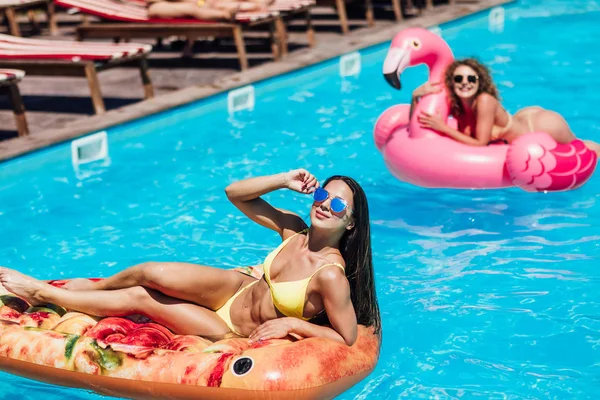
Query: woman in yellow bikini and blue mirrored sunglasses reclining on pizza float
<point x="325" y="270"/>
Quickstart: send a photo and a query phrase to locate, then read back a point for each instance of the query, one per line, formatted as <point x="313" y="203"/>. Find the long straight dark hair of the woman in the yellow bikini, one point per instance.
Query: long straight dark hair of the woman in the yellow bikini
<point x="355" y="247"/>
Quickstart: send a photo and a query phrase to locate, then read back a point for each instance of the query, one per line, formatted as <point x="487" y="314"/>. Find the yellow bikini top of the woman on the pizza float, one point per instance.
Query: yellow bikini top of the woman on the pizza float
<point x="289" y="297"/>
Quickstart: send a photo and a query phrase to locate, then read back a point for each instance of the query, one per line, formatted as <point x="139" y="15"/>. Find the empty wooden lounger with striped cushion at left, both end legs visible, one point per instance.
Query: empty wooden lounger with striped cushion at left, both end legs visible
<point x="64" y="58"/>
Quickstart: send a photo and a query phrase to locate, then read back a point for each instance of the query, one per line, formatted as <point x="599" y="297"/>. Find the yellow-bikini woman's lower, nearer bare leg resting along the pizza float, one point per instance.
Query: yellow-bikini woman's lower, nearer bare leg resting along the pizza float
<point x="179" y="316"/>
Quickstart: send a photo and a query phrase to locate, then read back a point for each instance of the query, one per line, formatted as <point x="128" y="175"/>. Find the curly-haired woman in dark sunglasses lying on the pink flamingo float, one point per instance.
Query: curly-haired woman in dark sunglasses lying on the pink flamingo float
<point x="482" y="120"/>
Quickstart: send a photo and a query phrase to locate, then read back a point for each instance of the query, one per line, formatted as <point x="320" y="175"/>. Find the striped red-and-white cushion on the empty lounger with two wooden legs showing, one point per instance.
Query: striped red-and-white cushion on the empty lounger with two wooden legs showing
<point x="12" y="47"/>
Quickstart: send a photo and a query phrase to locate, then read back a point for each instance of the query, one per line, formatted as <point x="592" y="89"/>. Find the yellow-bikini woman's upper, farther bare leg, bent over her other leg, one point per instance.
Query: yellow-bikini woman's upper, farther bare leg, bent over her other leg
<point x="205" y="286"/>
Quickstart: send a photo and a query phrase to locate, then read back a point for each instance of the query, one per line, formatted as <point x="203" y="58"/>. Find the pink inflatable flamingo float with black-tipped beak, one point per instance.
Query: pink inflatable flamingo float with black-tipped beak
<point x="423" y="157"/>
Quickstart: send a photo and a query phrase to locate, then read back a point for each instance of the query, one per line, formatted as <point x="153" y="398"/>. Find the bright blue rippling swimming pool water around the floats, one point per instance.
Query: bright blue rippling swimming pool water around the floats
<point x="484" y="294"/>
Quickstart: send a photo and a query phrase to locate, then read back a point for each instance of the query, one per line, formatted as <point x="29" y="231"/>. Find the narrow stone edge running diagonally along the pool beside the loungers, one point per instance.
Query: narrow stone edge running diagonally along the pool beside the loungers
<point x="323" y="51"/>
